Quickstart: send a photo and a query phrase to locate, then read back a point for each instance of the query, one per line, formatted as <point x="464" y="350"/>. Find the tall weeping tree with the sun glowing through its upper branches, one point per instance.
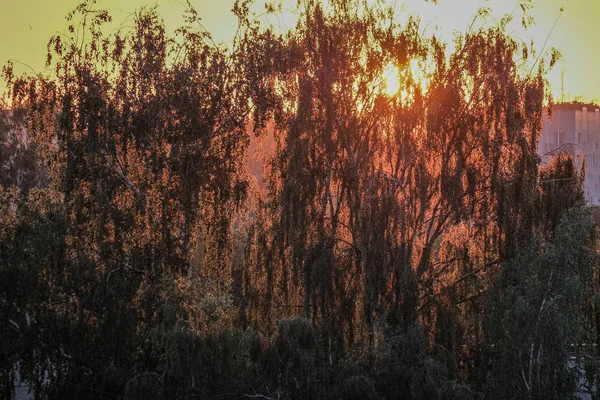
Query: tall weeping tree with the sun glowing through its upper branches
<point x="383" y="210"/>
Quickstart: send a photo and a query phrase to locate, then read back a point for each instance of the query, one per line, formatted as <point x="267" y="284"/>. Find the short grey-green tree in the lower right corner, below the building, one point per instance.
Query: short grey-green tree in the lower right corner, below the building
<point x="536" y="313"/>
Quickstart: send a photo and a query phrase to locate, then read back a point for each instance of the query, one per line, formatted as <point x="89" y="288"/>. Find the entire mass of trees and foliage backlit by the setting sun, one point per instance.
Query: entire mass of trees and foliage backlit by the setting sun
<point x="402" y="245"/>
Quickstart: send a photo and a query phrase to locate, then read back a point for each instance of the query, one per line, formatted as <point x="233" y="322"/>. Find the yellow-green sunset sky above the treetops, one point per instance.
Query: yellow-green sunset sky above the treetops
<point x="26" y="25"/>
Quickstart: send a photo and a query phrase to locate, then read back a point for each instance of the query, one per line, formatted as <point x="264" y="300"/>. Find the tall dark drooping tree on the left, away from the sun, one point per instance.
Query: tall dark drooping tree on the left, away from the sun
<point x="144" y="136"/>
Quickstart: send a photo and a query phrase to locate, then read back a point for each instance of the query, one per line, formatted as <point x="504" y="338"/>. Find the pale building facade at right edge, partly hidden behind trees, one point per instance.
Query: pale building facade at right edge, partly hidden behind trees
<point x="575" y="128"/>
